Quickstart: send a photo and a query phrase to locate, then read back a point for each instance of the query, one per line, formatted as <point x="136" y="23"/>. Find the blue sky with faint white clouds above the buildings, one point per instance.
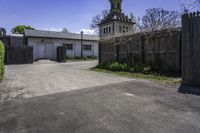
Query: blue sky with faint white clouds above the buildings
<point x="75" y="15"/>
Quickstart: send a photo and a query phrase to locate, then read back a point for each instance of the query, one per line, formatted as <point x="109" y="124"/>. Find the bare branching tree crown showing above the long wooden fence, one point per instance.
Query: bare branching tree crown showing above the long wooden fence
<point x="158" y="19"/>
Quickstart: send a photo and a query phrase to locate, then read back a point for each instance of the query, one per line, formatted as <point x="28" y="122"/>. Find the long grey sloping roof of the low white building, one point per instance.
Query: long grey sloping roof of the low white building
<point x="58" y="35"/>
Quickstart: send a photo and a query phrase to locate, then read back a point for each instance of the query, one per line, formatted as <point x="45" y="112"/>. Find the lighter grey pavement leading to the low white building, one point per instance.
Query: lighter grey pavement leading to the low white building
<point x="47" y="77"/>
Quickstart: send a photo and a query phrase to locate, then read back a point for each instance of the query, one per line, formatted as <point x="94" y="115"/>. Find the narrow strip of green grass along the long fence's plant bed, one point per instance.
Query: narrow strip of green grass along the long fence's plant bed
<point x="152" y="77"/>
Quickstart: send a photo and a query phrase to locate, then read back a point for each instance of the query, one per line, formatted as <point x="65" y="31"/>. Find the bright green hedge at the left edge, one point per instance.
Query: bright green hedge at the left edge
<point x="1" y="60"/>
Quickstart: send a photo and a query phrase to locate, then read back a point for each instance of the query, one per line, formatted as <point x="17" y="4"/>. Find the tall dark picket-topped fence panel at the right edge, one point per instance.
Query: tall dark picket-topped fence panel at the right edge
<point x="191" y="53"/>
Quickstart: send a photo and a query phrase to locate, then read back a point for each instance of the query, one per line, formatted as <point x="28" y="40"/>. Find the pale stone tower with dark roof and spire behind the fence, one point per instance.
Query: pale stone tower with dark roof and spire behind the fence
<point x="116" y="23"/>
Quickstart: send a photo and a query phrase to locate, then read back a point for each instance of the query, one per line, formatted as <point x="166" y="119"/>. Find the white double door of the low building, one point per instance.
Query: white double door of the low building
<point x="45" y="51"/>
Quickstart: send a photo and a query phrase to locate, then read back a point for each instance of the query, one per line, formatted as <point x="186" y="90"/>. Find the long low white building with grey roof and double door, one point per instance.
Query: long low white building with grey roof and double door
<point x="45" y="44"/>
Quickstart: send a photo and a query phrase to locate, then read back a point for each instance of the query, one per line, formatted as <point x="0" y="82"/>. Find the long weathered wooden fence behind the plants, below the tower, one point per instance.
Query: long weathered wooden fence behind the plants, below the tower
<point x="161" y="48"/>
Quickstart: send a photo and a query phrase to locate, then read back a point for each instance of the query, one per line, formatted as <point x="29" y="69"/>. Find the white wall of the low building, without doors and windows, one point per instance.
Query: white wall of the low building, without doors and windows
<point x="76" y="52"/>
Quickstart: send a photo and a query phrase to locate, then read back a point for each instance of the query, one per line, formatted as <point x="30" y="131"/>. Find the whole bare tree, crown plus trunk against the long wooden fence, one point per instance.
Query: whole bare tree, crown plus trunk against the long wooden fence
<point x="154" y="20"/>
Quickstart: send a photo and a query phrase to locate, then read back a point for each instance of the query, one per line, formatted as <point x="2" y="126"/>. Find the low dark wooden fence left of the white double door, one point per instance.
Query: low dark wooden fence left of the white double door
<point x="19" y="55"/>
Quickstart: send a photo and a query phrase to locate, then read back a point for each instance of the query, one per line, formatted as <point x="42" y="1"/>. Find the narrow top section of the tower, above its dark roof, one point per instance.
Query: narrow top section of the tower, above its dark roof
<point x="116" y="6"/>
